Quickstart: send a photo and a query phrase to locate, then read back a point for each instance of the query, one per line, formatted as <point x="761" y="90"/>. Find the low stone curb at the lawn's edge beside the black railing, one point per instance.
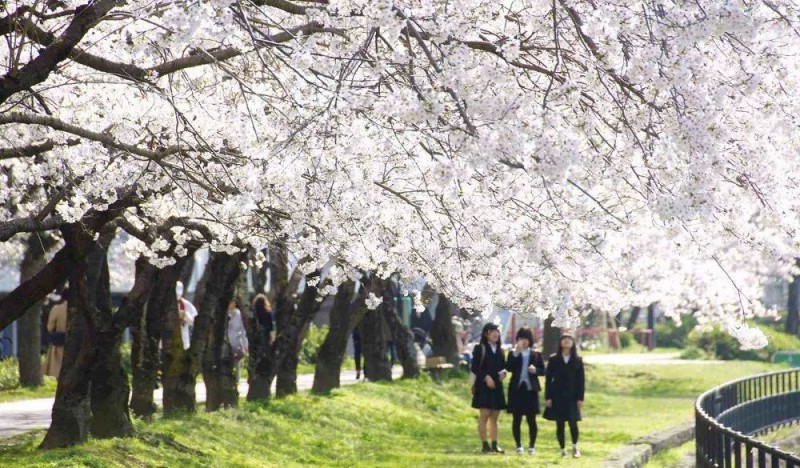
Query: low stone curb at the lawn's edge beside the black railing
<point x="641" y="450"/>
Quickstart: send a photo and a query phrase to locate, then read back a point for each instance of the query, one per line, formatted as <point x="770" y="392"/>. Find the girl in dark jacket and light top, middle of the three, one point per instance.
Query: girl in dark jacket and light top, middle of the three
<point x="525" y="365"/>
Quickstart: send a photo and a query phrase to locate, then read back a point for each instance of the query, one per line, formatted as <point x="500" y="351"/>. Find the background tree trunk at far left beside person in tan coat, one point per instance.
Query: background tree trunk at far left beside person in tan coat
<point x="29" y="326"/>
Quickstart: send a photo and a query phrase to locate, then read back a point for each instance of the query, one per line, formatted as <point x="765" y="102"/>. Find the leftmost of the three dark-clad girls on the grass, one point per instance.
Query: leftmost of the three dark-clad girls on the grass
<point x="488" y="367"/>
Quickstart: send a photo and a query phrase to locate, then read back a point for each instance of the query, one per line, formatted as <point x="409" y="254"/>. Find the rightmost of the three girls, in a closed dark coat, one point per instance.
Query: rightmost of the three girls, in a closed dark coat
<point x="564" y="389"/>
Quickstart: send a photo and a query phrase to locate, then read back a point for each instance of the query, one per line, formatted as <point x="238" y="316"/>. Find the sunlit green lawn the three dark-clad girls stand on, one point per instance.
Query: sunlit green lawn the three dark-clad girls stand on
<point x="406" y="423"/>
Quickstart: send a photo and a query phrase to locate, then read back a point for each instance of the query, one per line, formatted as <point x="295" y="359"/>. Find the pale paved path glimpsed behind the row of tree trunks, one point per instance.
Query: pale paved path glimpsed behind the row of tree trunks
<point x="25" y="415"/>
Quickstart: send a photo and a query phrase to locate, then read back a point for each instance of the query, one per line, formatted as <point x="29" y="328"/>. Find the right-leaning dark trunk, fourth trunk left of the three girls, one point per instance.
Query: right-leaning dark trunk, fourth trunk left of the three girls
<point x="331" y="354"/>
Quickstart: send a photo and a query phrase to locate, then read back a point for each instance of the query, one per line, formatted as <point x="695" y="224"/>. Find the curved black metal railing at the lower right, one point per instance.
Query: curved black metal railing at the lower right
<point x="727" y="416"/>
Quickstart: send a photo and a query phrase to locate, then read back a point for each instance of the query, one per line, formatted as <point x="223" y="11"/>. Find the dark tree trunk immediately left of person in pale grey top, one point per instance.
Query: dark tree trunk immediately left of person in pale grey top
<point x="219" y="373"/>
